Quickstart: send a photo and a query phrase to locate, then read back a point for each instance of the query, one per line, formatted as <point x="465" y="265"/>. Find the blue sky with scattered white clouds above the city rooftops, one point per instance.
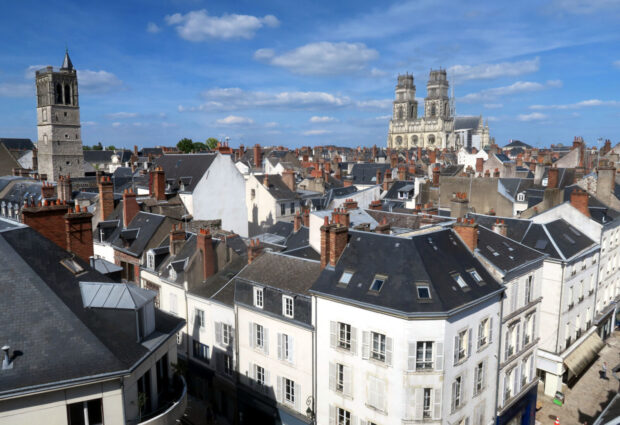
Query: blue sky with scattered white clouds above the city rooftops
<point x="276" y="72"/>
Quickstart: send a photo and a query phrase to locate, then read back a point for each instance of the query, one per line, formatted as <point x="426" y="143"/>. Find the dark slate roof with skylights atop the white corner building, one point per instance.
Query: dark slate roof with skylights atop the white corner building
<point x="432" y="258"/>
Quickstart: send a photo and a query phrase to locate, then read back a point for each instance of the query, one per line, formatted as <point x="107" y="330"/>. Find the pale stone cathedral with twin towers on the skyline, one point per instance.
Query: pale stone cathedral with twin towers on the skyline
<point x="439" y="127"/>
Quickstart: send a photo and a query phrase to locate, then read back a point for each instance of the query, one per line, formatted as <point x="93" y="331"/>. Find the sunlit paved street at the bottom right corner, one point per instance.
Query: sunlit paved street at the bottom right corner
<point x="585" y="401"/>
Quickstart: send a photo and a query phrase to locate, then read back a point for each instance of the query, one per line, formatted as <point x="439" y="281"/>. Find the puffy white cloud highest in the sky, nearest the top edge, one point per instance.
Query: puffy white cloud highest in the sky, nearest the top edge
<point x="198" y="25"/>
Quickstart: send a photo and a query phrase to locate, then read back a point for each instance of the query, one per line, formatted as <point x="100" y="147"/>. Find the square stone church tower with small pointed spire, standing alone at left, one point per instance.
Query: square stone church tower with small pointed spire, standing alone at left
<point x="58" y="122"/>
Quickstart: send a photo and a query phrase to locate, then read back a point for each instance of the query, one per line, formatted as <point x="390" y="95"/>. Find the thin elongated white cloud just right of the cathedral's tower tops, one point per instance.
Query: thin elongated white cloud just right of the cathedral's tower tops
<point x="488" y="71"/>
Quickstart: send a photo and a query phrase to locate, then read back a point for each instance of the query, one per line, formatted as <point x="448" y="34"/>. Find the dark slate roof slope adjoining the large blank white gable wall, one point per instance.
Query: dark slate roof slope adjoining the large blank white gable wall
<point x="184" y="166"/>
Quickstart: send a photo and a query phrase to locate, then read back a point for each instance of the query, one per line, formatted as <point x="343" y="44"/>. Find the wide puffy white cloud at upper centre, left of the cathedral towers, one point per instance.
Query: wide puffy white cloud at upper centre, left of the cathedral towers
<point x="323" y="58"/>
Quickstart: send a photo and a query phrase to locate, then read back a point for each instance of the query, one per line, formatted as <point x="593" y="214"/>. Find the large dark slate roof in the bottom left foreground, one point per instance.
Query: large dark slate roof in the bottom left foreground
<point x="59" y="339"/>
